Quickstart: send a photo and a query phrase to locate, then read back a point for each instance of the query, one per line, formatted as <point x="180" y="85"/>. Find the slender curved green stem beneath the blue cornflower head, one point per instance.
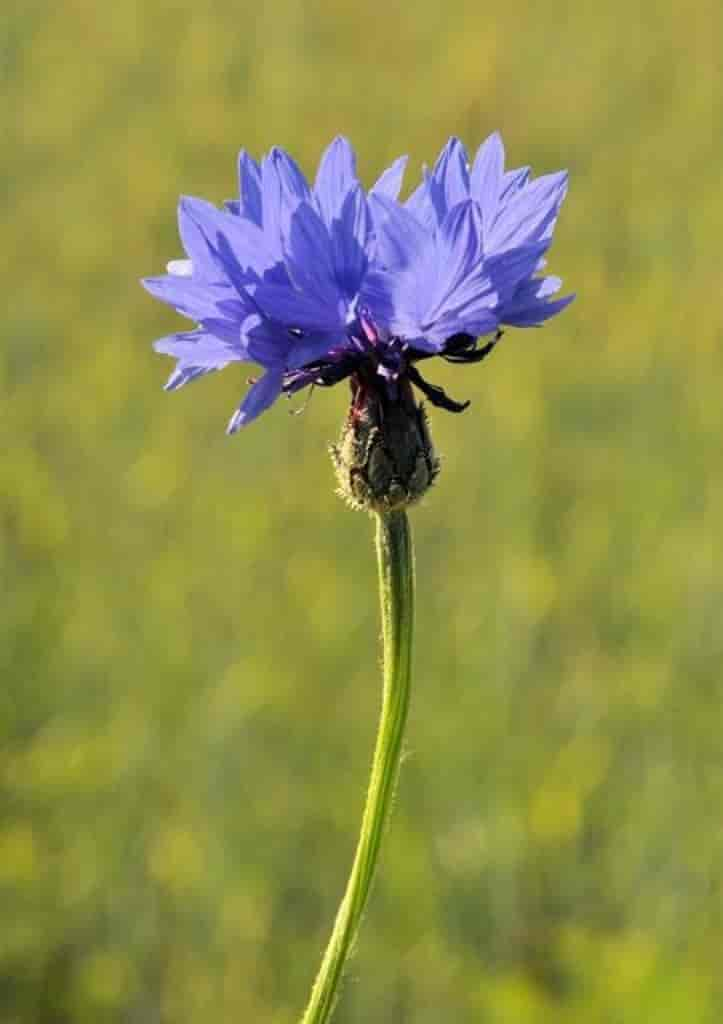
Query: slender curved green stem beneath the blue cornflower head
<point x="396" y="562"/>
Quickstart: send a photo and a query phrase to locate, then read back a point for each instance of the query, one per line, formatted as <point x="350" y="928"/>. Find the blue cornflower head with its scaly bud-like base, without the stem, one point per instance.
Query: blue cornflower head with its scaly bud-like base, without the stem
<point x="321" y="283"/>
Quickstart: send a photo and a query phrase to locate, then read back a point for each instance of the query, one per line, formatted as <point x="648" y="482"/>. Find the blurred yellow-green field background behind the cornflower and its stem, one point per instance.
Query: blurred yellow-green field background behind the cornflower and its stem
<point x="190" y="629"/>
